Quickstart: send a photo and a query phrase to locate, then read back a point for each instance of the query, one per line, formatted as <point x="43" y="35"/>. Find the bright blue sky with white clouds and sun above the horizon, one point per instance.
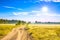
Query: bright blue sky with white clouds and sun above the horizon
<point x="30" y="10"/>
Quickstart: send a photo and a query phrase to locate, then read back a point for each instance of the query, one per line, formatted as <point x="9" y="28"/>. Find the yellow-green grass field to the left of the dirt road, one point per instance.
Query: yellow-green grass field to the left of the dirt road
<point x="5" y="29"/>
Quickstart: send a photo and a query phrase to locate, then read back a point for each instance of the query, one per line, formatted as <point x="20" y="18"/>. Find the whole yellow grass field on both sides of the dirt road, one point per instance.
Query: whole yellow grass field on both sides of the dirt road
<point x="37" y="31"/>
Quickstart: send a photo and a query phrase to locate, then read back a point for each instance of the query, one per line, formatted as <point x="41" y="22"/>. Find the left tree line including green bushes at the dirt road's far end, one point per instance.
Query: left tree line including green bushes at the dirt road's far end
<point x="17" y="22"/>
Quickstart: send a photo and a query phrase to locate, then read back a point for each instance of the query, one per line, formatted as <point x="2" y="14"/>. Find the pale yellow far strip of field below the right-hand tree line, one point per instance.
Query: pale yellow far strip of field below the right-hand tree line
<point x="45" y="25"/>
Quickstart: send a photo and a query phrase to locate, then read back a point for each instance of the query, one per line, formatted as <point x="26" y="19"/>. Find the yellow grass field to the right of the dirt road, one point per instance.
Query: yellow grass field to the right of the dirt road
<point x="45" y="31"/>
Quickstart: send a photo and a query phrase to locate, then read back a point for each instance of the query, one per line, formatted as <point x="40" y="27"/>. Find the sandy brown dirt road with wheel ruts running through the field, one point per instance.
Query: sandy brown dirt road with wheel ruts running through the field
<point x="18" y="34"/>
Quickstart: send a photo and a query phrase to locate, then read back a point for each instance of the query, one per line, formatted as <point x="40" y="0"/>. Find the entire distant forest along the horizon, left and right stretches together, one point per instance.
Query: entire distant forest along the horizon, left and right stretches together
<point x="5" y="21"/>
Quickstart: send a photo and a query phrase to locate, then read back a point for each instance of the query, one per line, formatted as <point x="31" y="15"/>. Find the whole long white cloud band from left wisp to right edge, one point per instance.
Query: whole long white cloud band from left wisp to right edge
<point x="36" y="13"/>
